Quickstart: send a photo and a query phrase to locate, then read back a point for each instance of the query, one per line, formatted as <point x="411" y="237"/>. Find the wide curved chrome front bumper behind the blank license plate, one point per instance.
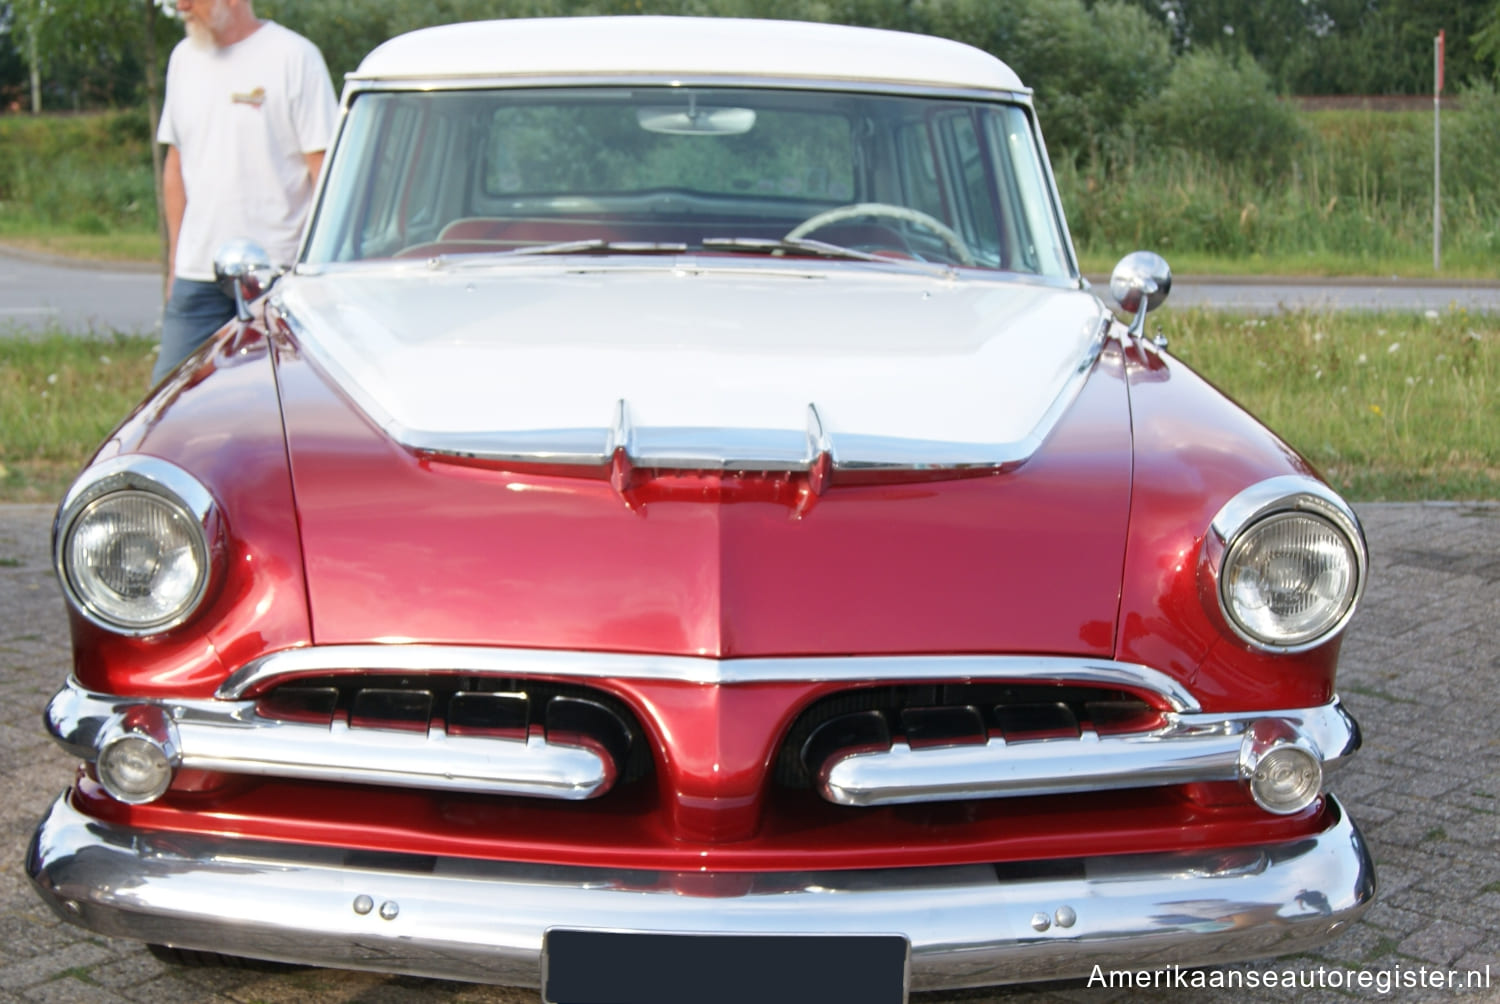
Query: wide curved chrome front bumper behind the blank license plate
<point x="485" y="921"/>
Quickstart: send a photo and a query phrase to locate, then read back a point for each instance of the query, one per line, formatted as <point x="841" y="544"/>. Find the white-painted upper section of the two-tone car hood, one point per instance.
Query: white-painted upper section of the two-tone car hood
<point x="701" y="367"/>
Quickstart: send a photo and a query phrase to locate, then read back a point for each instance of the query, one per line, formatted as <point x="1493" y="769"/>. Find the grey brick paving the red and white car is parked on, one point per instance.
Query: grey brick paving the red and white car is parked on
<point x="1421" y="673"/>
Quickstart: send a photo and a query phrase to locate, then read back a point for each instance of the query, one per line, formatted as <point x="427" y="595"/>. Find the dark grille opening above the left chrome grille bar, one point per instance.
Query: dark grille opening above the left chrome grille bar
<point x="503" y="709"/>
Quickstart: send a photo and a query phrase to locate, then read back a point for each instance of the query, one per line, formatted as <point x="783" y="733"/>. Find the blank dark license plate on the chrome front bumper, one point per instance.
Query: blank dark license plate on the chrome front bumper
<point x="608" y="967"/>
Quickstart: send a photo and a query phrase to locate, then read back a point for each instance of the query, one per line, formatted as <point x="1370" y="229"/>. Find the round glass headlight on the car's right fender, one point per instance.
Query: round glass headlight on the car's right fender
<point x="1289" y="580"/>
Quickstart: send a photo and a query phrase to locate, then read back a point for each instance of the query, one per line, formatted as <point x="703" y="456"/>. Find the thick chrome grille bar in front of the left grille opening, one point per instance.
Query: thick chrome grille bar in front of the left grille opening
<point x="232" y="738"/>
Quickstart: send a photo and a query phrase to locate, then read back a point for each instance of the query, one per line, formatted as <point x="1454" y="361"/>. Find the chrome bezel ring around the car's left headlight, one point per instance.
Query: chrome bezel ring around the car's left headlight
<point x="143" y="473"/>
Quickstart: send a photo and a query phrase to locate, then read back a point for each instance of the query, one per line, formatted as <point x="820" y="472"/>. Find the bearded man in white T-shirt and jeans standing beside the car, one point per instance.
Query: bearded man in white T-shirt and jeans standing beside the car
<point x="250" y="112"/>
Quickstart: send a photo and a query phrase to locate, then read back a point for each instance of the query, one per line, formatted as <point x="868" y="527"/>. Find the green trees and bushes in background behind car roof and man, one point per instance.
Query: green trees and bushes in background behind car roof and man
<point x="1108" y="74"/>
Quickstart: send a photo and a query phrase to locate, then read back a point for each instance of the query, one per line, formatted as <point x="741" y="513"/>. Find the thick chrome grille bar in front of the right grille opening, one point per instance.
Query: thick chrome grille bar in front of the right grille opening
<point x="1189" y="748"/>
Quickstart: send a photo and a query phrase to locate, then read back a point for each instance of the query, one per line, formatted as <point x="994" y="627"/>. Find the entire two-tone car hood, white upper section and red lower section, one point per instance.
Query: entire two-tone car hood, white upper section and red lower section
<point x="709" y="556"/>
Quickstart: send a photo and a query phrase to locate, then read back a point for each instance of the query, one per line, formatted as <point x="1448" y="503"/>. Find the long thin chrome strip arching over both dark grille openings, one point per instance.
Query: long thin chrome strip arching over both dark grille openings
<point x="547" y="663"/>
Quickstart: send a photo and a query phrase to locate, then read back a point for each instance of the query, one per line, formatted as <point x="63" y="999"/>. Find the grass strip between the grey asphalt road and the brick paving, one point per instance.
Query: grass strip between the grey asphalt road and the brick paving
<point x="1391" y="407"/>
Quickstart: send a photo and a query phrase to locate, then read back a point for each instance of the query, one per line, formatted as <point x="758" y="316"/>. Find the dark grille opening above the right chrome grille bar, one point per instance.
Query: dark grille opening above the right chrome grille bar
<point x="953" y="715"/>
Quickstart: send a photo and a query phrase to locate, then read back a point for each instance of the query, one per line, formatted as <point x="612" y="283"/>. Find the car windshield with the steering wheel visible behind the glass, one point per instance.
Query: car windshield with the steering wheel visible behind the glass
<point x="712" y="170"/>
